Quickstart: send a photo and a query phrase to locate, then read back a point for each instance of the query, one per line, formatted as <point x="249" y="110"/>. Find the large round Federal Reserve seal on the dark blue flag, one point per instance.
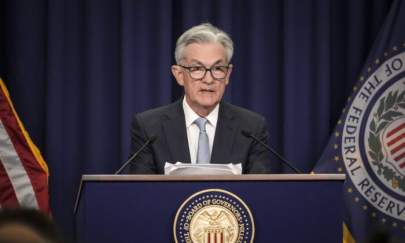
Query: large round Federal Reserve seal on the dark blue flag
<point x="373" y="138"/>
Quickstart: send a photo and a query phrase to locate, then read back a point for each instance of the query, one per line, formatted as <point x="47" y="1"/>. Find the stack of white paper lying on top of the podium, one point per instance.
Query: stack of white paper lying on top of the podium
<point x="180" y="168"/>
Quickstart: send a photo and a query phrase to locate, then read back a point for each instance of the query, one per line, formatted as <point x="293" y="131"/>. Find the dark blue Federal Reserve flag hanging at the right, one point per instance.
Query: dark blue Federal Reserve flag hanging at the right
<point x="368" y="143"/>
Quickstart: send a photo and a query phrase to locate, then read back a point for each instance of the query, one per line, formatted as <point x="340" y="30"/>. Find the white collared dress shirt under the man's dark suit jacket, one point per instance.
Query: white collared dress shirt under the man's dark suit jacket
<point x="193" y="131"/>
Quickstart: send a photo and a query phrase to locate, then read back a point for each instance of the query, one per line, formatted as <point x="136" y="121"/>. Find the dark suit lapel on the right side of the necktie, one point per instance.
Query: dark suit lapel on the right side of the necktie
<point x="224" y="136"/>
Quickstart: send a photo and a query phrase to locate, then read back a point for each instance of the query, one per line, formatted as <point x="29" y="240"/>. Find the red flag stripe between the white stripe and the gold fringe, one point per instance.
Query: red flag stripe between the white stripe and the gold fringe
<point x="37" y="175"/>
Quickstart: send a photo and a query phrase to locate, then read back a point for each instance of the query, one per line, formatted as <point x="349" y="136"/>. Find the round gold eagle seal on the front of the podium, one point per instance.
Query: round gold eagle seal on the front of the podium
<point x="213" y="215"/>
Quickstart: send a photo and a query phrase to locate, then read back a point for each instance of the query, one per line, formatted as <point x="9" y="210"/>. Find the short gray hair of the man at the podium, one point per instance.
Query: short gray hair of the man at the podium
<point x="203" y="33"/>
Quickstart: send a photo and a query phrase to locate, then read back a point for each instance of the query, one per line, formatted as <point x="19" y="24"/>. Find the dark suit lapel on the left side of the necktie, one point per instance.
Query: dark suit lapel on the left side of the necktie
<point x="176" y="134"/>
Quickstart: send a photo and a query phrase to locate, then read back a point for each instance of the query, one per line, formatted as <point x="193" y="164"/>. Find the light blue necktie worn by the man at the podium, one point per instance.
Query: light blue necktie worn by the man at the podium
<point x="203" y="151"/>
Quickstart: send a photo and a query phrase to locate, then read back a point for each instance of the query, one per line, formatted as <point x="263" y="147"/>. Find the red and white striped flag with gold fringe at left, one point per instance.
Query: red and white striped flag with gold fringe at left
<point x="23" y="171"/>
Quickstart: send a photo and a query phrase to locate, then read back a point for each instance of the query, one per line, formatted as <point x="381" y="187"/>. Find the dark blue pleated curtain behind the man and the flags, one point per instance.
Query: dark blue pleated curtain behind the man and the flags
<point x="78" y="70"/>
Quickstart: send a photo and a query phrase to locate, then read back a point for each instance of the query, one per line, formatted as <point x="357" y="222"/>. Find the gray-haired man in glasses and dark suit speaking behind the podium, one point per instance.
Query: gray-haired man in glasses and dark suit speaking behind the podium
<point x="200" y="128"/>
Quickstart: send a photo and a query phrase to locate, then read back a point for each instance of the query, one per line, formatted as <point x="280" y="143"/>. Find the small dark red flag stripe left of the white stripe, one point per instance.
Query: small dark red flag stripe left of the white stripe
<point x="7" y="195"/>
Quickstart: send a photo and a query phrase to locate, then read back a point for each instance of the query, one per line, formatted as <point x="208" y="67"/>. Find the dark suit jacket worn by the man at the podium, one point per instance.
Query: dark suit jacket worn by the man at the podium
<point x="167" y="123"/>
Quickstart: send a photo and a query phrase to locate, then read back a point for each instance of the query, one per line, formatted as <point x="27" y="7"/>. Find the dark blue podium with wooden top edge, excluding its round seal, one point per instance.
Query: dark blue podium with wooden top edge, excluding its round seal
<point x="142" y="208"/>
